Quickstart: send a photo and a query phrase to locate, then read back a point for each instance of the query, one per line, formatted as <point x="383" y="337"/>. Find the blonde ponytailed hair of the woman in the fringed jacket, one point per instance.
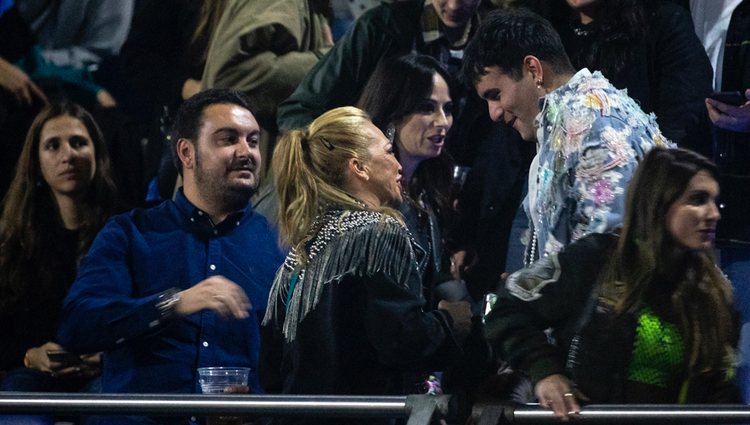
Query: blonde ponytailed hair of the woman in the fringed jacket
<point x="310" y="171"/>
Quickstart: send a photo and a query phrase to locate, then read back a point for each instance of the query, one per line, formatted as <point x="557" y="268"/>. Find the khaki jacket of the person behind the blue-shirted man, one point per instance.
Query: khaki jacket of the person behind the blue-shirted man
<point x="265" y="49"/>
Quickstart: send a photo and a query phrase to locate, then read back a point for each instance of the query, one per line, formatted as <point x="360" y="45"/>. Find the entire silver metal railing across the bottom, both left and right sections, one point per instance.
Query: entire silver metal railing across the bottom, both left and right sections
<point x="419" y="409"/>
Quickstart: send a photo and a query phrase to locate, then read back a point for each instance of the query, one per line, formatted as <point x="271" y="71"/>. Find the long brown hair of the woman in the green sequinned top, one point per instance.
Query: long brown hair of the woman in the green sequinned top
<point x="648" y="255"/>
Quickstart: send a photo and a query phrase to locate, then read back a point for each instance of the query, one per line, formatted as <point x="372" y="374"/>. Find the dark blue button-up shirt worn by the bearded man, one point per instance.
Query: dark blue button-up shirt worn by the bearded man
<point x="112" y="306"/>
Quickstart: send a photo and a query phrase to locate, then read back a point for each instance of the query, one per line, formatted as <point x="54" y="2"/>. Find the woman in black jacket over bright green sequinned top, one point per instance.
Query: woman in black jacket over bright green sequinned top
<point x="643" y="316"/>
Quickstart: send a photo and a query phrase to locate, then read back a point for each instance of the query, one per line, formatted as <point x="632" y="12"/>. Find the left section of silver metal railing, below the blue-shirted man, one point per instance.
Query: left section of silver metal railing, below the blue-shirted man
<point x="420" y="409"/>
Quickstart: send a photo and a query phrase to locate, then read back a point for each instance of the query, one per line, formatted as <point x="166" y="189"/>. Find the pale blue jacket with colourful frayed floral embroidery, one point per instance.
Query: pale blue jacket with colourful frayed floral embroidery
<point x="591" y="137"/>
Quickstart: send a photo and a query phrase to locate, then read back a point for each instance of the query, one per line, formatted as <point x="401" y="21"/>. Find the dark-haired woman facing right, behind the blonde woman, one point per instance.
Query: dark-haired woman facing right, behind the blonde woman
<point x="409" y="99"/>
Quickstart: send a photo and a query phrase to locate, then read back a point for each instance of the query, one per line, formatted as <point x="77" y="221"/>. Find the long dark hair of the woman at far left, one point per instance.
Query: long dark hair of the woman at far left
<point x="30" y="211"/>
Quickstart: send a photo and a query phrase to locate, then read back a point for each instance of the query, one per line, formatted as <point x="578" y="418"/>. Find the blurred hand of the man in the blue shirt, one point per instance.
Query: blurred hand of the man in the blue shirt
<point x="218" y="294"/>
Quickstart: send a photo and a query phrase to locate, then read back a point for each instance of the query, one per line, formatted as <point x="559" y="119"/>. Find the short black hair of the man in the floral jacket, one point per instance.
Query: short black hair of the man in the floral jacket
<point x="506" y="37"/>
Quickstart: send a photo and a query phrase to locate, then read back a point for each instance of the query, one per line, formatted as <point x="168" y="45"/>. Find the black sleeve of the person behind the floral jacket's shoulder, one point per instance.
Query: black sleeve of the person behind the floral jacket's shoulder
<point x="681" y="79"/>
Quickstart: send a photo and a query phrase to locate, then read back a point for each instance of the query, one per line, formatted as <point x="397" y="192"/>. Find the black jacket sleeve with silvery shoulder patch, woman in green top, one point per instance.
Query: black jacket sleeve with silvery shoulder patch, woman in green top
<point x="551" y="293"/>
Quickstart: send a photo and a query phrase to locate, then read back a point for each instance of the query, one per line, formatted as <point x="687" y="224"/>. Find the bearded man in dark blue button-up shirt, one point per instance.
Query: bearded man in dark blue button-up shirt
<point x="182" y="285"/>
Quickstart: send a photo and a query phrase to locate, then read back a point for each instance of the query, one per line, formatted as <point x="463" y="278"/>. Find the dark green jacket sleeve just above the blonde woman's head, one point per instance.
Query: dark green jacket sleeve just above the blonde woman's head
<point x="339" y="77"/>
